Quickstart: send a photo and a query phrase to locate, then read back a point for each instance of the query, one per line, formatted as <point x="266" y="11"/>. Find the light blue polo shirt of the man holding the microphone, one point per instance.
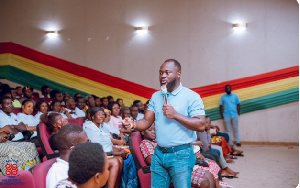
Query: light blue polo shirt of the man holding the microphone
<point x="169" y="132"/>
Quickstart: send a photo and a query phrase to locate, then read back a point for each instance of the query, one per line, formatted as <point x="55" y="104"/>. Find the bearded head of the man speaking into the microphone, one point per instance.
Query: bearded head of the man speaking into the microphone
<point x="169" y="74"/>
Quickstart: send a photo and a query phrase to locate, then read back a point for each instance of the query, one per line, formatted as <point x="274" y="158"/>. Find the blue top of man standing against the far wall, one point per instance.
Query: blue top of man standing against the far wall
<point x="230" y="103"/>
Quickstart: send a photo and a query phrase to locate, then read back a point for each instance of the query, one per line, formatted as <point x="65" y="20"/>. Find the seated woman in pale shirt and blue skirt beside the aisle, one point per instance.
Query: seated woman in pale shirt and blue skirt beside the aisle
<point x="99" y="132"/>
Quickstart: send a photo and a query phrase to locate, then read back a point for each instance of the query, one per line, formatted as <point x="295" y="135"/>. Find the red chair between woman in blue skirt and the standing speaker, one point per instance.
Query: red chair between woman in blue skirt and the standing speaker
<point x="140" y="163"/>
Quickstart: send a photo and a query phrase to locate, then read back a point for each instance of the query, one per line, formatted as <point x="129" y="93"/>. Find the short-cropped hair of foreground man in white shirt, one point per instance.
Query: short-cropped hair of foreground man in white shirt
<point x="67" y="136"/>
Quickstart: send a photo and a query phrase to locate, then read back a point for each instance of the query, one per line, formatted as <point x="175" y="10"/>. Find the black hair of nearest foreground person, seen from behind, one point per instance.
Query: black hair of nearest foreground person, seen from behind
<point x="86" y="160"/>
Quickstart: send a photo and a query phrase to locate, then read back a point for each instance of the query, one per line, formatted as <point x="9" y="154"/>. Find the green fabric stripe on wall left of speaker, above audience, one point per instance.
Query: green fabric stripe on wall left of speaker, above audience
<point x="24" y="78"/>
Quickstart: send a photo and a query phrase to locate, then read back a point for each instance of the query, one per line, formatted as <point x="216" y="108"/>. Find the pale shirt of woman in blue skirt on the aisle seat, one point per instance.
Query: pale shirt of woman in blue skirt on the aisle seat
<point x="100" y="135"/>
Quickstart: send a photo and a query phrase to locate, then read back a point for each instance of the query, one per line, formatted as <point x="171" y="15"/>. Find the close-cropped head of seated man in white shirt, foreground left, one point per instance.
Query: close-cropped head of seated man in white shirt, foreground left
<point x="68" y="137"/>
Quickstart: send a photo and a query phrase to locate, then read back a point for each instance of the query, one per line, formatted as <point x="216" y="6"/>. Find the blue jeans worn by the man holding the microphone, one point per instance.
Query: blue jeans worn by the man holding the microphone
<point x="175" y="166"/>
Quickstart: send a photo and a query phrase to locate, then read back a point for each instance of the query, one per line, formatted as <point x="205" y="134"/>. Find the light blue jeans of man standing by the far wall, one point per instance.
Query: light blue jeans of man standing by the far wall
<point x="235" y="123"/>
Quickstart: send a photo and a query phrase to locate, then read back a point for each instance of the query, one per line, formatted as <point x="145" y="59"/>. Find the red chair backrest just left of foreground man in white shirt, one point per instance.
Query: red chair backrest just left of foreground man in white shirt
<point x="43" y="137"/>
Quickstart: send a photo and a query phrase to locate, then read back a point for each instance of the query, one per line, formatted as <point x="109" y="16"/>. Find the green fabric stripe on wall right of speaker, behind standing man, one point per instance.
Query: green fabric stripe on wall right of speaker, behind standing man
<point x="261" y="103"/>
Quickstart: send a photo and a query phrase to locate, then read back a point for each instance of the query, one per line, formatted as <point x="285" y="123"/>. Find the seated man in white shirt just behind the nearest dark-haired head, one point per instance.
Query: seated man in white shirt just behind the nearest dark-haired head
<point x="67" y="138"/>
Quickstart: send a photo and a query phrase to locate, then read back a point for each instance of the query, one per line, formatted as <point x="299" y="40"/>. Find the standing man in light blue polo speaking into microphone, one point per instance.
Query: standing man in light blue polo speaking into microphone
<point x="176" y="123"/>
